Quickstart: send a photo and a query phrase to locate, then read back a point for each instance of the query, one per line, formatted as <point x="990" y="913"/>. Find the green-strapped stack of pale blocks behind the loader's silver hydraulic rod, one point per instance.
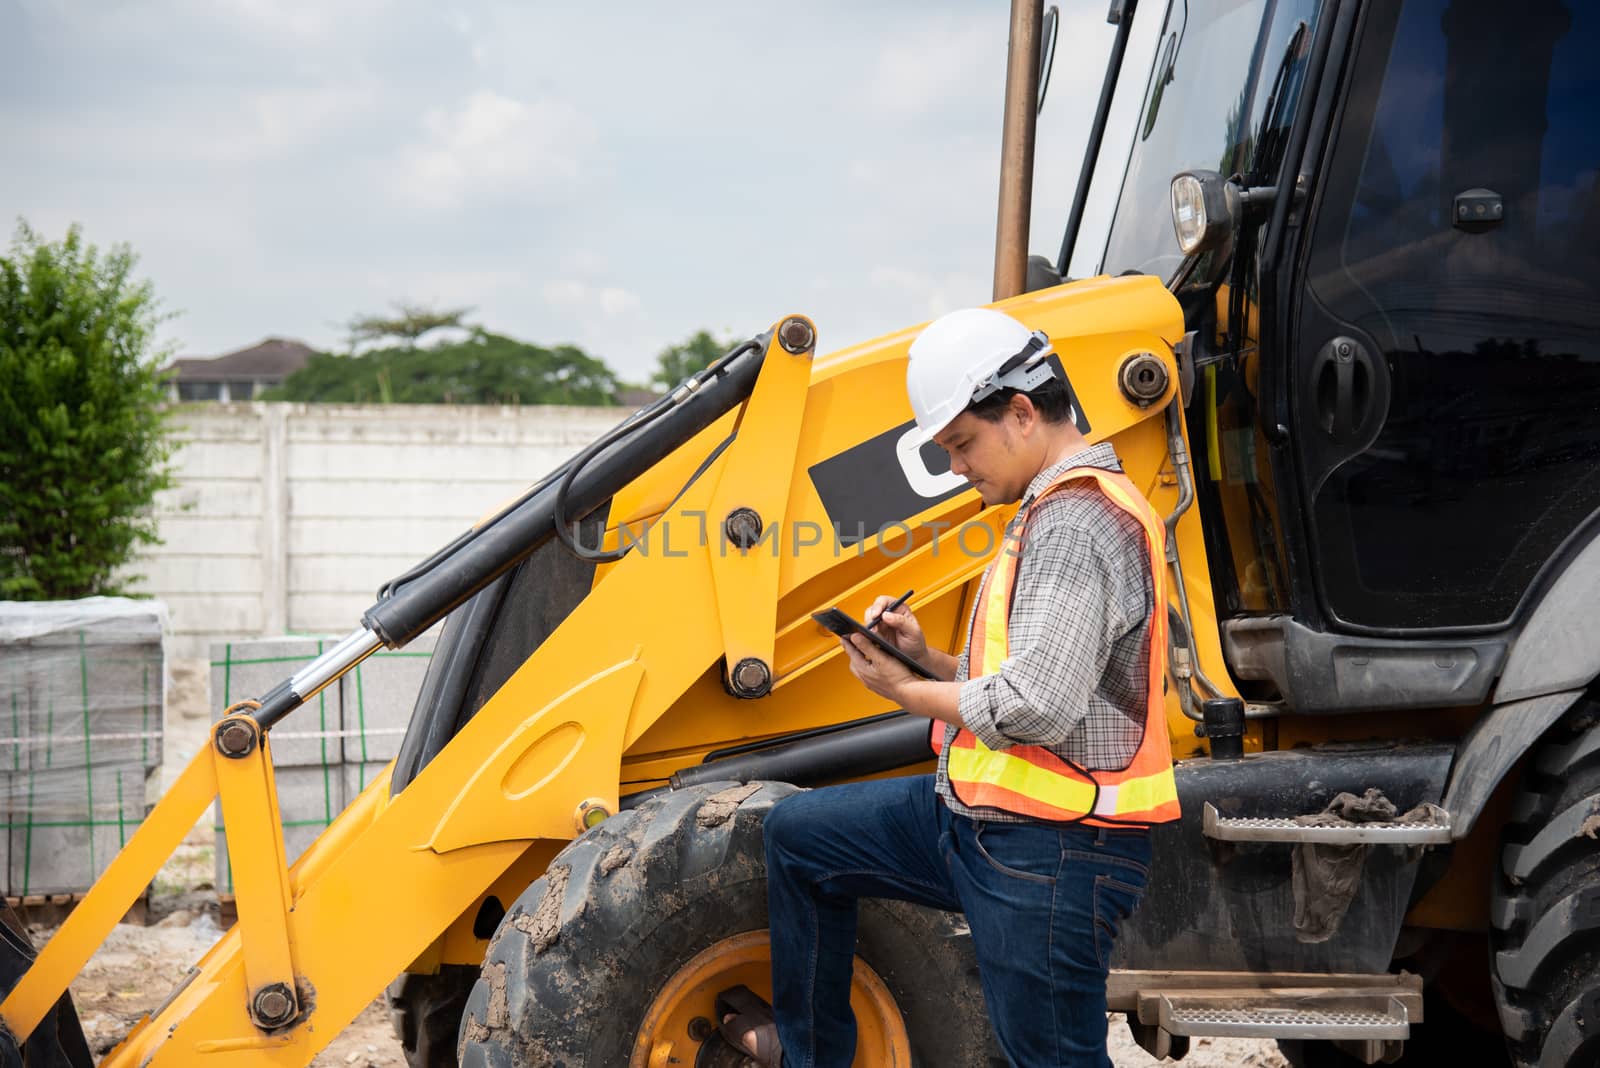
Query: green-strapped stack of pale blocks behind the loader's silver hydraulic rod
<point x="329" y="751"/>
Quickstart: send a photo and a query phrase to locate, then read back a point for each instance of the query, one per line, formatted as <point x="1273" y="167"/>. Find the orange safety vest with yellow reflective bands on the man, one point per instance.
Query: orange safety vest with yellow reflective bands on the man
<point x="1030" y="779"/>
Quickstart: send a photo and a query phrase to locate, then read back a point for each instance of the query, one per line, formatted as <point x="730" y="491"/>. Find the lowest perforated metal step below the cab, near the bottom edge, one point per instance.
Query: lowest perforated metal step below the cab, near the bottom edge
<point x="1311" y="1018"/>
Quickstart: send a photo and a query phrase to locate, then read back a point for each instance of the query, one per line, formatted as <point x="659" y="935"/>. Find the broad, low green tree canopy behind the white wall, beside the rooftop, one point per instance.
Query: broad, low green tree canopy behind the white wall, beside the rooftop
<point x="482" y="370"/>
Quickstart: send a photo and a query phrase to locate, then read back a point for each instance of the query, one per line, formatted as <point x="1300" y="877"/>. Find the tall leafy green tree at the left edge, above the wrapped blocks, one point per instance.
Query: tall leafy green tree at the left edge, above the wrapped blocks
<point x="86" y="445"/>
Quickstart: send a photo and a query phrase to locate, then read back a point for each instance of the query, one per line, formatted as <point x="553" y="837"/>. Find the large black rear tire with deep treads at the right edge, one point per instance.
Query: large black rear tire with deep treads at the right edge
<point x="1546" y="903"/>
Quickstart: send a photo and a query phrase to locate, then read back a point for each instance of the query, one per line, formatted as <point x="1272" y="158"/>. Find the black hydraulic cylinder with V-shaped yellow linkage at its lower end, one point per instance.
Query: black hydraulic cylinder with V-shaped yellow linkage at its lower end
<point x="238" y="765"/>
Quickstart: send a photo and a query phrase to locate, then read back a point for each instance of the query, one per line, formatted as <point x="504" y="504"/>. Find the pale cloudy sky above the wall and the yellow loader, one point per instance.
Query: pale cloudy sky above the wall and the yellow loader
<point x="607" y="175"/>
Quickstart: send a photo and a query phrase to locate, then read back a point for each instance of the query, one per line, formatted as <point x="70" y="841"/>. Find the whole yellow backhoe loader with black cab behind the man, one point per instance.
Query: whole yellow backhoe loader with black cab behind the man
<point x="1343" y="335"/>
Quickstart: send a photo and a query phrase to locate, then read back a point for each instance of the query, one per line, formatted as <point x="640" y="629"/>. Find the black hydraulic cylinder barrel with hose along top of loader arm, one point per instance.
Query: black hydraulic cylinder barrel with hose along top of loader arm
<point x="513" y="536"/>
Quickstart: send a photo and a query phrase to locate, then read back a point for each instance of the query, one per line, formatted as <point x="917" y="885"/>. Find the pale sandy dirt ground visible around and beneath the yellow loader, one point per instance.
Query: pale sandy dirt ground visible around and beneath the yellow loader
<point x="140" y="965"/>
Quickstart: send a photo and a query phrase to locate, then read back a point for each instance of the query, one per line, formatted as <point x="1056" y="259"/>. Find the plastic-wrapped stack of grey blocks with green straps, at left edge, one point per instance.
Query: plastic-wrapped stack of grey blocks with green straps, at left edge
<point x="81" y="736"/>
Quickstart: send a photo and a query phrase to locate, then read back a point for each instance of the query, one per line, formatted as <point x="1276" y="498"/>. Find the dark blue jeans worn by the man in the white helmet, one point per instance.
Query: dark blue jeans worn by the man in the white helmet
<point x="1044" y="906"/>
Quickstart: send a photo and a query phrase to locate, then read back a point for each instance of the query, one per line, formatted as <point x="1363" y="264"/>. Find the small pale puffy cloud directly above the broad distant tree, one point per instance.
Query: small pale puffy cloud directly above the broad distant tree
<point x="494" y="145"/>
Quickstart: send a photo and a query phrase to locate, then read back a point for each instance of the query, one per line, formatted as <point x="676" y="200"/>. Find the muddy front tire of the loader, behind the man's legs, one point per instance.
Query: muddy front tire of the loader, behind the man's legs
<point x="580" y="960"/>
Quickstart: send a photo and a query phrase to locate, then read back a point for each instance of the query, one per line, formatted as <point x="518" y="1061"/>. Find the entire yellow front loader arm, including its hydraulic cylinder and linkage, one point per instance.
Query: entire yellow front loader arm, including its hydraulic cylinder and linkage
<point x="644" y="669"/>
